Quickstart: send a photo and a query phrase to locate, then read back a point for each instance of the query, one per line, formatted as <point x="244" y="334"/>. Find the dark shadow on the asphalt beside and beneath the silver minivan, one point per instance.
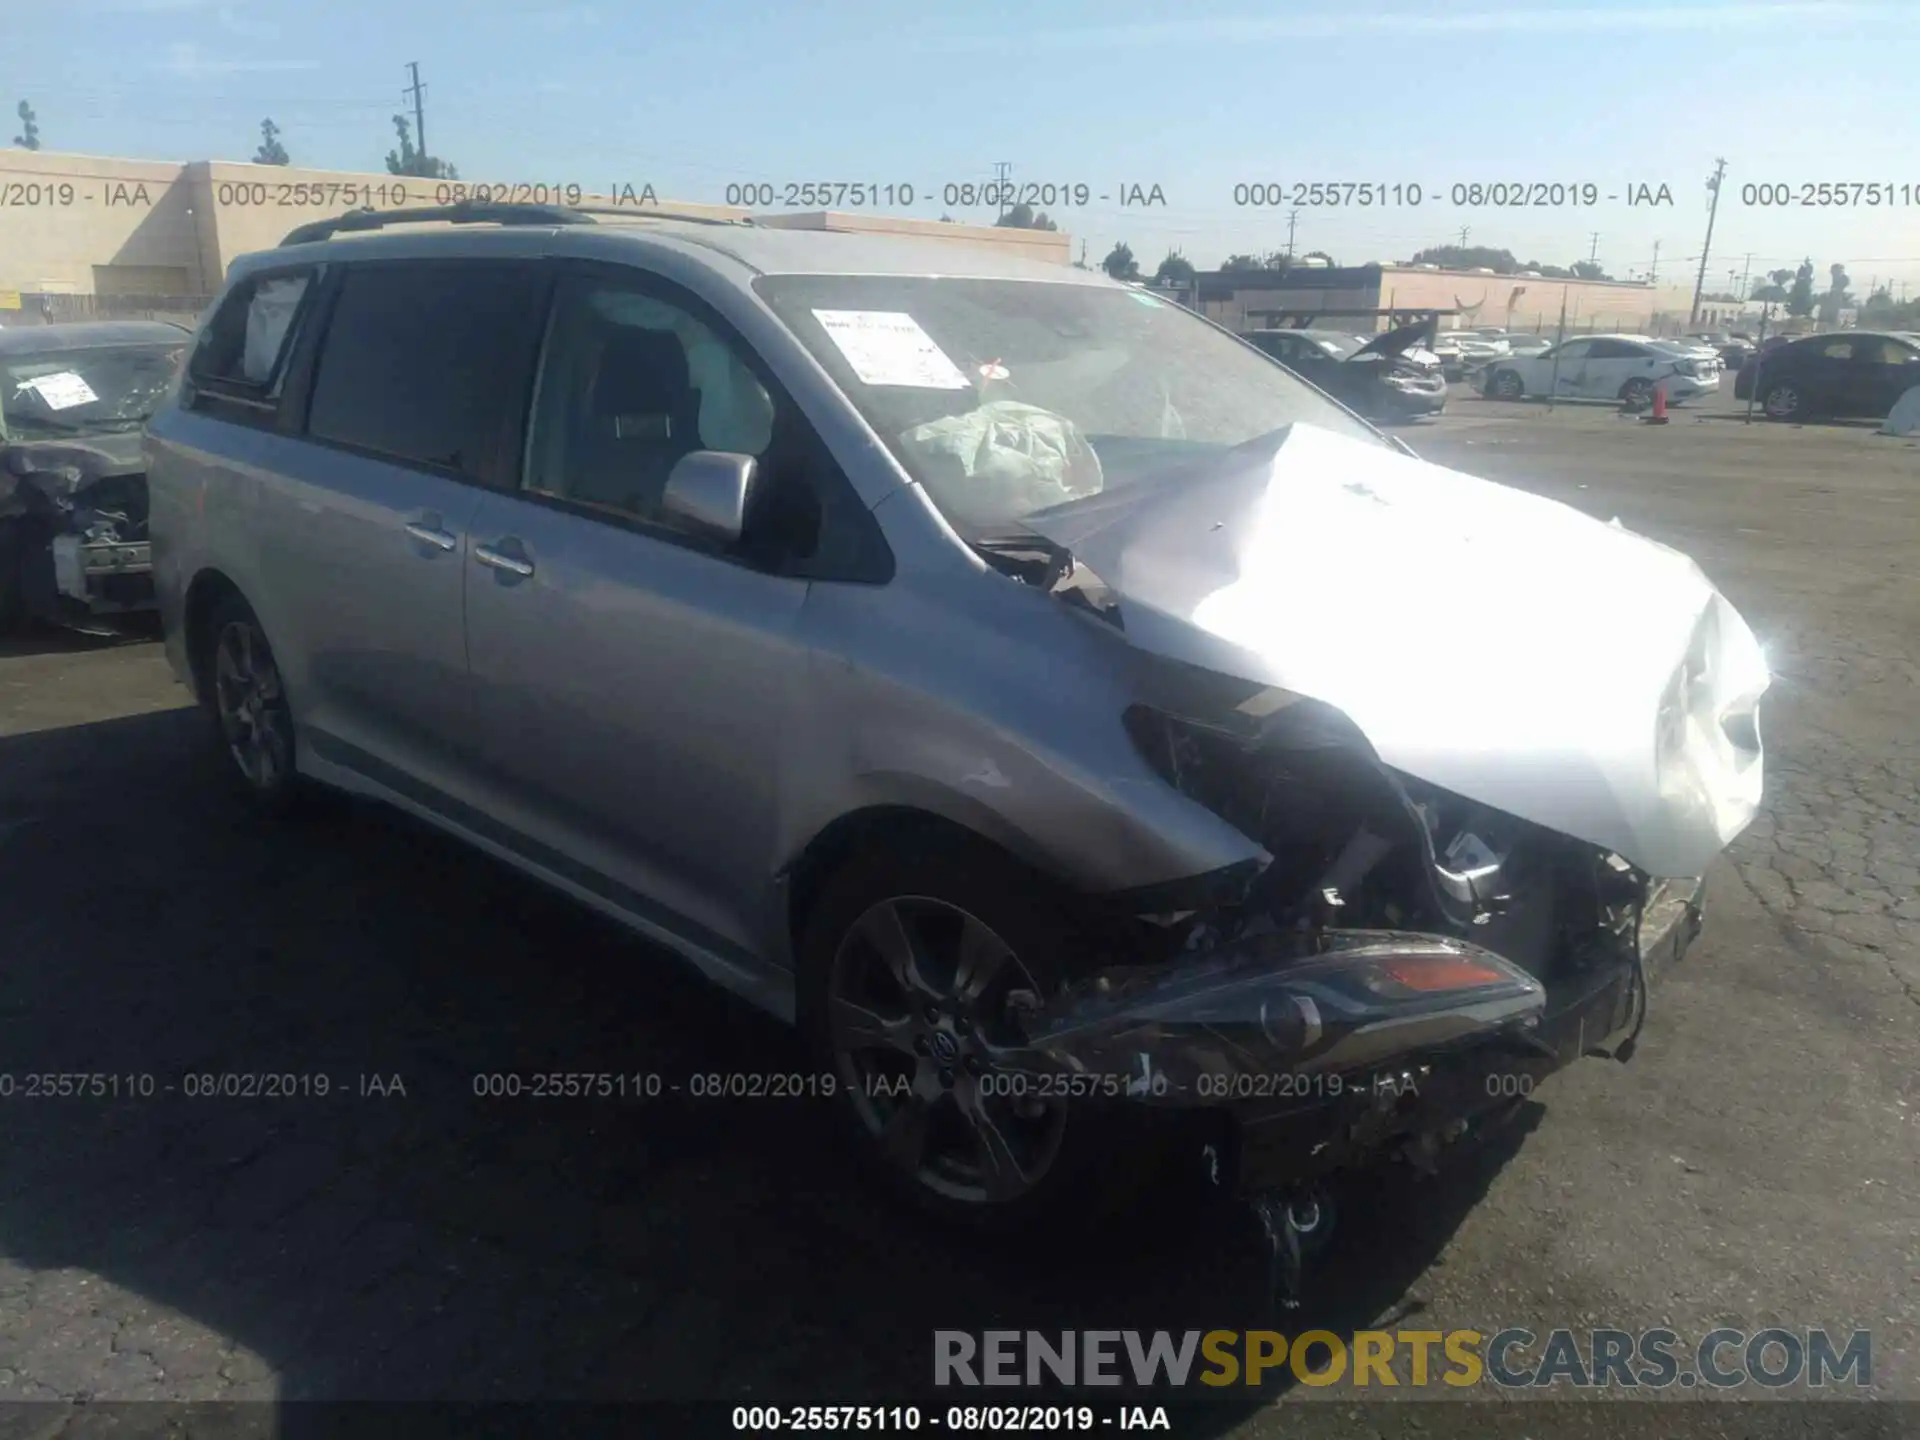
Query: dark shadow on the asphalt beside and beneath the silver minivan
<point x="402" y="1237"/>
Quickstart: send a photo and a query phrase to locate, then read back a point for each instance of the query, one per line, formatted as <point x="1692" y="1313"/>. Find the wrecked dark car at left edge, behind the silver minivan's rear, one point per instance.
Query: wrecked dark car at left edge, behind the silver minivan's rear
<point x="72" y="479"/>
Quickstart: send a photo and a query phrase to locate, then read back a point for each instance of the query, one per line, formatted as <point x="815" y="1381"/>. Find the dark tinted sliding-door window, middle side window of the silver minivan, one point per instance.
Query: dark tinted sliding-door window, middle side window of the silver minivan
<point x="421" y="362"/>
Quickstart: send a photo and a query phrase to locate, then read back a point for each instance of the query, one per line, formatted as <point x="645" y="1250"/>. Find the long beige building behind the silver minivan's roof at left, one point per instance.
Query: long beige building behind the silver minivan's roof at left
<point x="156" y="237"/>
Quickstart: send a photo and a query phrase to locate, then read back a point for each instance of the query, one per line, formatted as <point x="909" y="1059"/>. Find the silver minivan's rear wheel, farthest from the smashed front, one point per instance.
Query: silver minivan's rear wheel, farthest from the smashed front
<point x="247" y="700"/>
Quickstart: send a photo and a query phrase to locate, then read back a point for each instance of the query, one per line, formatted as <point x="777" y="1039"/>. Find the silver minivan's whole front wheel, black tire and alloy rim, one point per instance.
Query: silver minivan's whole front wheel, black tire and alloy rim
<point x="915" y="969"/>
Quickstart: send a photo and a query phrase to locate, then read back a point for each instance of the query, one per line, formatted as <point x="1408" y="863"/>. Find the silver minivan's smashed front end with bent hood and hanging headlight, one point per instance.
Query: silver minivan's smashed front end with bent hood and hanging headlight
<point x="1487" y="748"/>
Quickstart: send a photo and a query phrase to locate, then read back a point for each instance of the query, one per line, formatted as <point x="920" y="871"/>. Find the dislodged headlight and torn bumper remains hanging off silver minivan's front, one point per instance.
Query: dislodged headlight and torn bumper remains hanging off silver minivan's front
<point x="1378" y="1045"/>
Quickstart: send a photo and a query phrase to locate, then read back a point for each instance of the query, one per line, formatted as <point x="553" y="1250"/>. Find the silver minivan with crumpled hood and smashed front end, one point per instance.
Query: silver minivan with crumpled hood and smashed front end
<point x="1019" y="681"/>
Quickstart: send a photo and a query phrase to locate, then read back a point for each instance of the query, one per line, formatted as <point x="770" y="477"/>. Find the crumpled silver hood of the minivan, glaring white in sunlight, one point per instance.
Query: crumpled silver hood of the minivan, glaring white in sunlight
<point x="1491" y="642"/>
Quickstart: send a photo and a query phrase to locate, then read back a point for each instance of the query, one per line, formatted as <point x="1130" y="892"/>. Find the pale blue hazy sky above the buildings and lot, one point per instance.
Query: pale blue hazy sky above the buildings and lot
<point x="1191" y="99"/>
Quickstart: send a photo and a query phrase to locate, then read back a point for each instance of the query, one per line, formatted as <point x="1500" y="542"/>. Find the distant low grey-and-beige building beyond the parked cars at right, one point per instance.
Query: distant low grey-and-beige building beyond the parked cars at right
<point x="1366" y="297"/>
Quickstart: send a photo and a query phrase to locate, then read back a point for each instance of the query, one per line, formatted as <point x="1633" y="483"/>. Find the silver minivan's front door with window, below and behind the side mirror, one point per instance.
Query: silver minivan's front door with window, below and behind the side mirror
<point x="633" y="683"/>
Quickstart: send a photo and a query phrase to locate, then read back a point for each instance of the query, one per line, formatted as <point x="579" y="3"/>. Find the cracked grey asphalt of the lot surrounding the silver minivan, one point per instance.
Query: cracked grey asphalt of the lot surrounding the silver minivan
<point x="404" y="1237"/>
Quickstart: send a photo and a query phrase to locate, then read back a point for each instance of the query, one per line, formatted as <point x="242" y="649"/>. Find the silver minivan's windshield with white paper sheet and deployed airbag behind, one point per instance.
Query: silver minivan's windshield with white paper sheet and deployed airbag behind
<point x="1011" y="396"/>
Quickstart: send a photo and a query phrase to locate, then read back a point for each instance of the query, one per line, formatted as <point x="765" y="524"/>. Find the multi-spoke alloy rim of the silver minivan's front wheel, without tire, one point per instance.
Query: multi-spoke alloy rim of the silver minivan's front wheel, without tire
<point x="923" y="999"/>
